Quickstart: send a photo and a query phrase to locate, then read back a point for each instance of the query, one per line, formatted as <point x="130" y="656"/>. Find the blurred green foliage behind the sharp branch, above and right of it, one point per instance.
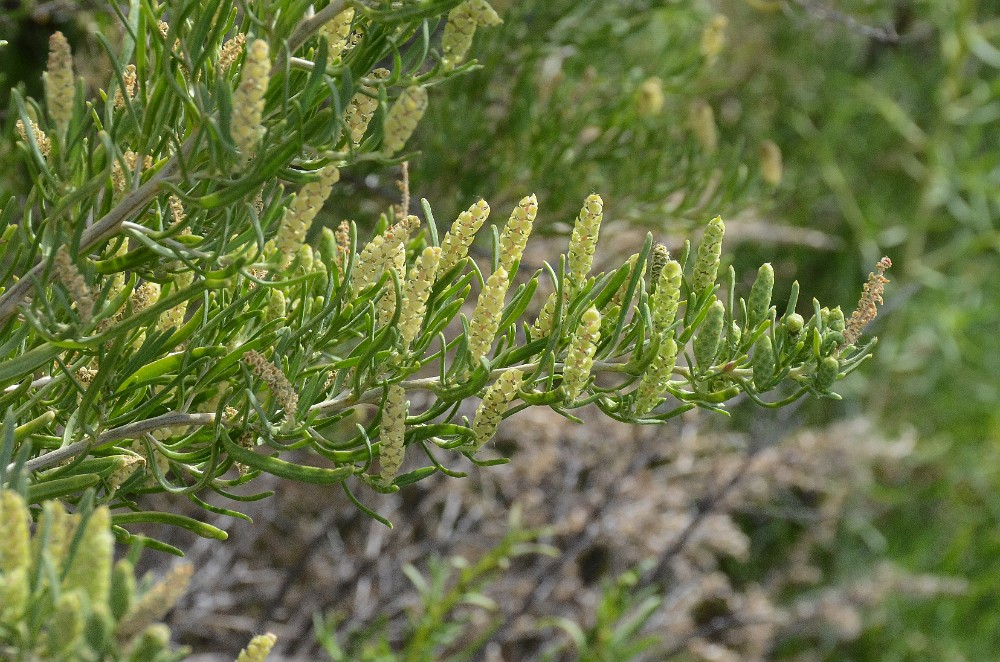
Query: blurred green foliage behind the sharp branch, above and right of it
<point x="886" y="115"/>
